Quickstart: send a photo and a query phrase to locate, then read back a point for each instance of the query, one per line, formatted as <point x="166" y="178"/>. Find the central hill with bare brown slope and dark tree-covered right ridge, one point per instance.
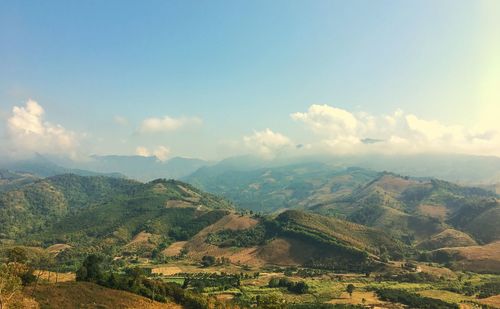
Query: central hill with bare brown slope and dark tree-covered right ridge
<point x="294" y="238"/>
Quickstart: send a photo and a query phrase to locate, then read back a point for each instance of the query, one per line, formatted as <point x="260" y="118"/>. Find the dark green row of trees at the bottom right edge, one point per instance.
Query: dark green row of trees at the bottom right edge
<point x="413" y="300"/>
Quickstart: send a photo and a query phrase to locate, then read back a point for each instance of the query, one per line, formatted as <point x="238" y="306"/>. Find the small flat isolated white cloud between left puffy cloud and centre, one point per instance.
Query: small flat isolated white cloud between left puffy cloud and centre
<point x="167" y="123"/>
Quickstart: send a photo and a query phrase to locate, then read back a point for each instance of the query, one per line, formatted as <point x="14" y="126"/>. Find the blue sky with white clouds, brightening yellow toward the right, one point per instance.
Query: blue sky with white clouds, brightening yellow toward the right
<point x="212" y="79"/>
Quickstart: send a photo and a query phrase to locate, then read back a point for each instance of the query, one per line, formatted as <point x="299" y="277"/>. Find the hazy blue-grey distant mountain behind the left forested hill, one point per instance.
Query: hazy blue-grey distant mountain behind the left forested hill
<point x="139" y="167"/>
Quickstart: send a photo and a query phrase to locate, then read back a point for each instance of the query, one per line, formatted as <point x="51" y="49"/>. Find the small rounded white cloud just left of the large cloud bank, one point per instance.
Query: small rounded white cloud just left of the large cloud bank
<point x="266" y="143"/>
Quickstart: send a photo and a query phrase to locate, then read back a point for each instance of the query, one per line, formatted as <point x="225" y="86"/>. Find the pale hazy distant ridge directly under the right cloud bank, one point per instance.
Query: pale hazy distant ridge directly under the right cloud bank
<point x="463" y="169"/>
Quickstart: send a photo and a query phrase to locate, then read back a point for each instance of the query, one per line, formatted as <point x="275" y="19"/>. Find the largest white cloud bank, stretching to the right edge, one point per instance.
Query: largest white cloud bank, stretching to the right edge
<point x="341" y="131"/>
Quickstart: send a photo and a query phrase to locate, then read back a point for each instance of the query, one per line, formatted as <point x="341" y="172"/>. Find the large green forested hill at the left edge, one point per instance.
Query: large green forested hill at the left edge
<point x="70" y="207"/>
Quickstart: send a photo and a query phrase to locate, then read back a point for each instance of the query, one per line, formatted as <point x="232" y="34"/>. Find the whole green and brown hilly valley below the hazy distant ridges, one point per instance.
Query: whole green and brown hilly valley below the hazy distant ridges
<point x="428" y="240"/>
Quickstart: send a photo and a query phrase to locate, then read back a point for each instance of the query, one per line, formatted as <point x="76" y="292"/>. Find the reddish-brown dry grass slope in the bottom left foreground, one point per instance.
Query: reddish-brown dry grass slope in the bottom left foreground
<point x="88" y="295"/>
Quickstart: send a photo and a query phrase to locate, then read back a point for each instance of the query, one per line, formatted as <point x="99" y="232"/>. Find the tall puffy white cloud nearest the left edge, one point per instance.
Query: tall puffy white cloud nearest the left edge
<point x="27" y="132"/>
